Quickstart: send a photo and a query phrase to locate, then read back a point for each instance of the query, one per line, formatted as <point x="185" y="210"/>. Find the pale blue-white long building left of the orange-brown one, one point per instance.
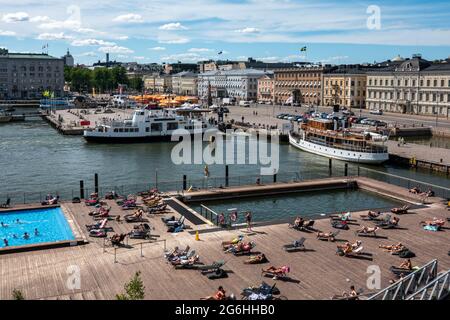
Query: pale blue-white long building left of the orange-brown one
<point x="239" y="84"/>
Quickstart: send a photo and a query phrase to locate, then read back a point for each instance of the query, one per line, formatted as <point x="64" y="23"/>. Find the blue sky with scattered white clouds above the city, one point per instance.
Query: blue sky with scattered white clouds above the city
<point x="144" y="31"/>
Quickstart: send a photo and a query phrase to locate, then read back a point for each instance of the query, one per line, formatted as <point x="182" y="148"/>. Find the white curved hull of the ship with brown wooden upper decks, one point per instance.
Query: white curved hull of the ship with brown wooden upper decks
<point x="339" y="154"/>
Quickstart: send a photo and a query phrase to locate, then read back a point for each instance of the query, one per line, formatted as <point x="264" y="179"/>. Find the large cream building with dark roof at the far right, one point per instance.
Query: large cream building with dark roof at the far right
<point x="414" y="86"/>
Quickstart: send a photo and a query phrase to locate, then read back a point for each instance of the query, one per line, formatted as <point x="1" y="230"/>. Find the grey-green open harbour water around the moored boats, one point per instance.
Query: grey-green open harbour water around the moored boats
<point x="35" y="158"/>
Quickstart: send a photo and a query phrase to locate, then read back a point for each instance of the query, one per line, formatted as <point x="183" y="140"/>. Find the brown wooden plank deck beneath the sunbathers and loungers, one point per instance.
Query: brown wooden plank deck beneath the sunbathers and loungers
<point x="320" y="272"/>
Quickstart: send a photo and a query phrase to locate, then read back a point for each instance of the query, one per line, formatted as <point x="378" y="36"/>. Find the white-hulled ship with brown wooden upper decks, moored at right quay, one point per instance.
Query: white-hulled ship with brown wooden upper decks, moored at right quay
<point x="324" y="138"/>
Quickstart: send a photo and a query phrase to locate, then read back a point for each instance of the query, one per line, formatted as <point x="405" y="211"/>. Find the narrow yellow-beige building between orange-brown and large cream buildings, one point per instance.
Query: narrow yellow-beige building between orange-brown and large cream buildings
<point x="346" y="88"/>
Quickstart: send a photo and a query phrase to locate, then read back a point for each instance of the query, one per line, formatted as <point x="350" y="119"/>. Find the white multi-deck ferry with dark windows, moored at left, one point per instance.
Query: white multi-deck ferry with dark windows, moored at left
<point x="145" y="126"/>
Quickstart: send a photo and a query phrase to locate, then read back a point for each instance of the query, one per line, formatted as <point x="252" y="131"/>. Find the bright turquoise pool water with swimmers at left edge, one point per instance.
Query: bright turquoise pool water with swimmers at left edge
<point x="51" y="224"/>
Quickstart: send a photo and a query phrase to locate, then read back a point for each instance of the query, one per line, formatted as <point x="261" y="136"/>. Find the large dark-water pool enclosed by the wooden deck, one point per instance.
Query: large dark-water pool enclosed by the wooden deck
<point x="311" y="204"/>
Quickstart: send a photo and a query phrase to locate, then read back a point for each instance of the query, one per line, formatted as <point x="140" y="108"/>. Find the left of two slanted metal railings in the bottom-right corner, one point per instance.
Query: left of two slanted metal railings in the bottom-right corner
<point x="409" y="284"/>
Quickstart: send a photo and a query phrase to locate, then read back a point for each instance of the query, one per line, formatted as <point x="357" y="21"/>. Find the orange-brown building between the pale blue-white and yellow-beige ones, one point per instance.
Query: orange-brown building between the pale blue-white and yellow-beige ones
<point x="299" y="85"/>
